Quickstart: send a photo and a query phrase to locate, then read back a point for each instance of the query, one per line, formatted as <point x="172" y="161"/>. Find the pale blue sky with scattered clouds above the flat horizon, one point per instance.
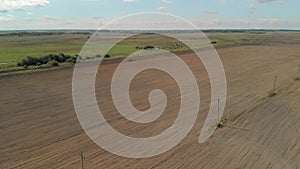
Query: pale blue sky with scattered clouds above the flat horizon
<point x="93" y="14"/>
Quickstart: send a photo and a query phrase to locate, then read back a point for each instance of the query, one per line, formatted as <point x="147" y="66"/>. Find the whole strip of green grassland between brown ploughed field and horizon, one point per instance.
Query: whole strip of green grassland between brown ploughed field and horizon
<point x="14" y="47"/>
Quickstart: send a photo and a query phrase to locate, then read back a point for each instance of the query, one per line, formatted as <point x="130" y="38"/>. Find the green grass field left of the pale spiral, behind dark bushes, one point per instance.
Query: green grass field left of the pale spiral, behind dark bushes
<point x="15" y="48"/>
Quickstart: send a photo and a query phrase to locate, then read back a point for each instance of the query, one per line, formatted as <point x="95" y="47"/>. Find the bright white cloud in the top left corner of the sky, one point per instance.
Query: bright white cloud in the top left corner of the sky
<point x="7" y="5"/>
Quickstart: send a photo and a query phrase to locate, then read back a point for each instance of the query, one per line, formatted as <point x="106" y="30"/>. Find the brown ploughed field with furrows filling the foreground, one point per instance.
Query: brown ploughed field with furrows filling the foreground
<point x="39" y="127"/>
